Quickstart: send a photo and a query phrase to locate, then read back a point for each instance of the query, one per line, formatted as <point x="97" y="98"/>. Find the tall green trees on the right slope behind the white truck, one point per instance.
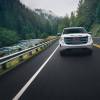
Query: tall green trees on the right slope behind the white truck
<point x="87" y="15"/>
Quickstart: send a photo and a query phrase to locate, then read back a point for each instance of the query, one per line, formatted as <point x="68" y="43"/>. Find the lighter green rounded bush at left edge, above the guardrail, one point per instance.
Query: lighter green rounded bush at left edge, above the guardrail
<point x="7" y="37"/>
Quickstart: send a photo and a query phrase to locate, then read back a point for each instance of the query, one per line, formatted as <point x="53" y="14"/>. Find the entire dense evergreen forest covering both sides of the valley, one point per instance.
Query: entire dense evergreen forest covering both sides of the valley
<point x="18" y="22"/>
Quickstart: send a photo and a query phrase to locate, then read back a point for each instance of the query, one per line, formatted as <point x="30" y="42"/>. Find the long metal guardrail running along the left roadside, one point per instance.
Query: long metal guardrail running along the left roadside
<point x="8" y="58"/>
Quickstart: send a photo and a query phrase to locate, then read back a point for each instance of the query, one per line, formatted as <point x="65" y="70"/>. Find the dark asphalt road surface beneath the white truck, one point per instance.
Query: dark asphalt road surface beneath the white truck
<point x="75" y="77"/>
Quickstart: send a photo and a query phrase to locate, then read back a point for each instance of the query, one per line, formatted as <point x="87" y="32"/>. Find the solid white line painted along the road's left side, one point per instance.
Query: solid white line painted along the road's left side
<point x="24" y="88"/>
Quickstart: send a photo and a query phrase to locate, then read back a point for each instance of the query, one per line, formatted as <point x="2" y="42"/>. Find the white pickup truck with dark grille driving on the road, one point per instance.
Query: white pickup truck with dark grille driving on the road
<point x="75" y="37"/>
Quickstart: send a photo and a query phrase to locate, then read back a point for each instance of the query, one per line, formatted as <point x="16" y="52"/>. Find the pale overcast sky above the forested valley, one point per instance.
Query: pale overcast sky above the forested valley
<point x="59" y="7"/>
